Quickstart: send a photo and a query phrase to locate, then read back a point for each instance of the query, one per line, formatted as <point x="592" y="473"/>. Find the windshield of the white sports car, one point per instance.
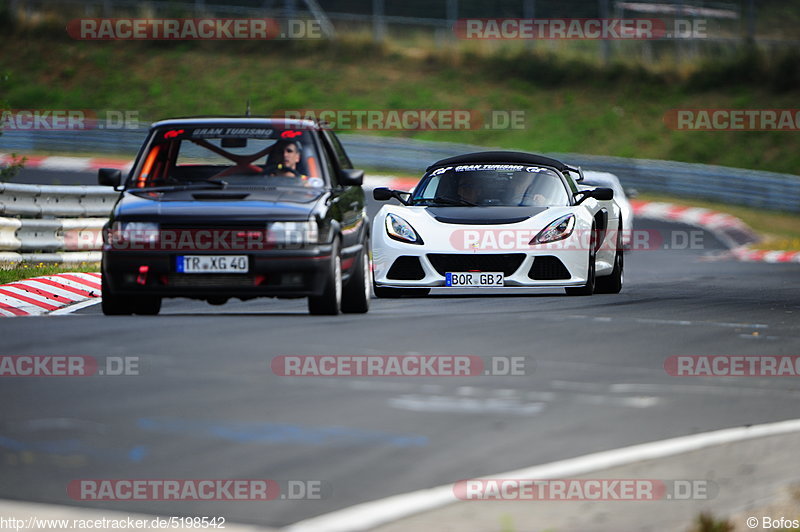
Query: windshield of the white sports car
<point x="485" y="184"/>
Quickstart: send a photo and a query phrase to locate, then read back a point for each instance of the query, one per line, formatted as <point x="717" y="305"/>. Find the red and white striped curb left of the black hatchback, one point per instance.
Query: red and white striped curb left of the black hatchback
<point x="48" y="294"/>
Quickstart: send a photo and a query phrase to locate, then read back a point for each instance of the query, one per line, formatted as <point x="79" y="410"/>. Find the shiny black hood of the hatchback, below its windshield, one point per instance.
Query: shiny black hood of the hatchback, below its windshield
<point x="209" y="205"/>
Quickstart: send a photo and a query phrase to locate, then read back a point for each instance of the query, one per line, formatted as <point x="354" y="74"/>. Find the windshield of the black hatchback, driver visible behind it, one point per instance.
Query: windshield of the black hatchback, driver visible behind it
<point x="228" y="156"/>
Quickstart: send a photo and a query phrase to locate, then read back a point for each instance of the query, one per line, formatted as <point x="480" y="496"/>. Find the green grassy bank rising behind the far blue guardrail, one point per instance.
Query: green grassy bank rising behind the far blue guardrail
<point x="570" y="106"/>
